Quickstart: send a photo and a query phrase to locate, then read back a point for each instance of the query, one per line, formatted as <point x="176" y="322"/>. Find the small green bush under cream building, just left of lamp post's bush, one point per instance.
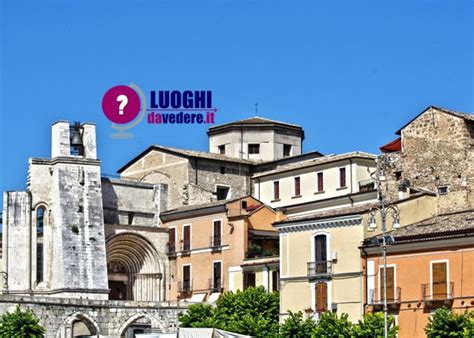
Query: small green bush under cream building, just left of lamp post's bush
<point x="330" y="325"/>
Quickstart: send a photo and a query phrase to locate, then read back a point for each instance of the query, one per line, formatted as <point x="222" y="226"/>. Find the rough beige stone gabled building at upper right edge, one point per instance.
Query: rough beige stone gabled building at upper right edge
<point x="437" y="151"/>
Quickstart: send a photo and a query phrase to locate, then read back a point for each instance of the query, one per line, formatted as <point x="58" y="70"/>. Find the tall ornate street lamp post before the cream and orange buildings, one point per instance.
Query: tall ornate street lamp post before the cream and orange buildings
<point x="384" y="211"/>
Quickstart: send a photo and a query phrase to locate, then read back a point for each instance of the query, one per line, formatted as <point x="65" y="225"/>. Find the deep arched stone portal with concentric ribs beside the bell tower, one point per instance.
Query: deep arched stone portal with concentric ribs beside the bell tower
<point x="135" y="270"/>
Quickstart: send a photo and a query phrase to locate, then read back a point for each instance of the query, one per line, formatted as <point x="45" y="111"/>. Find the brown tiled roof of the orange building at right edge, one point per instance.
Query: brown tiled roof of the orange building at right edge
<point x="451" y="225"/>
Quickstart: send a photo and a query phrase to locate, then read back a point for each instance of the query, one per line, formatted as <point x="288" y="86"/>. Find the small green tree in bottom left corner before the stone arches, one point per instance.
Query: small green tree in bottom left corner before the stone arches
<point x="20" y="324"/>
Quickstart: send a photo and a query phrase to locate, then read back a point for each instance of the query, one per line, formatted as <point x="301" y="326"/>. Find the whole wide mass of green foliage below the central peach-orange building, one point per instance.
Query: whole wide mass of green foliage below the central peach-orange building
<point x="252" y="312"/>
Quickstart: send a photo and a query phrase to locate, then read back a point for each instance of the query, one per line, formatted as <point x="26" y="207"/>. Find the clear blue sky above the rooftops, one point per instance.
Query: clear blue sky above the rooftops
<point x="350" y="72"/>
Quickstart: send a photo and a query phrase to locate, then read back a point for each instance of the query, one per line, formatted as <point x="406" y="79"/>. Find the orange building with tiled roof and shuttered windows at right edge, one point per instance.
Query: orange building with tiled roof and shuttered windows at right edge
<point x="429" y="265"/>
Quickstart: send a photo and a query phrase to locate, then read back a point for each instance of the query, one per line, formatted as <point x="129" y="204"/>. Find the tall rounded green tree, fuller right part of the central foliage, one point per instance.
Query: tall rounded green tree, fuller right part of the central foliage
<point x="251" y="312"/>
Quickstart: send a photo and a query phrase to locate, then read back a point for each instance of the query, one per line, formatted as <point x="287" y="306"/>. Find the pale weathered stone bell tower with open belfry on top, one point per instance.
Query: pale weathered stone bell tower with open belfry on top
<point x="54" y="231"/>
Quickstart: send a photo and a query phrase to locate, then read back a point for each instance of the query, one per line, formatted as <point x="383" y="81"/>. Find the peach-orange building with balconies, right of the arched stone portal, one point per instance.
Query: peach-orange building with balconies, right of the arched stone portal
<point x="212" y="246"/>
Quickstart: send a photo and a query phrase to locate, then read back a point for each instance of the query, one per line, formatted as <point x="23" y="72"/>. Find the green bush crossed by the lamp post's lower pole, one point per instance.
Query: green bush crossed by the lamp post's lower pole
<point x="372" y="325"/>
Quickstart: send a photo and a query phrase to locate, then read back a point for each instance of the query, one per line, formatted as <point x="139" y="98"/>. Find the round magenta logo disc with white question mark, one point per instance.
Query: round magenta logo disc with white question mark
<point x="121" y="104"/>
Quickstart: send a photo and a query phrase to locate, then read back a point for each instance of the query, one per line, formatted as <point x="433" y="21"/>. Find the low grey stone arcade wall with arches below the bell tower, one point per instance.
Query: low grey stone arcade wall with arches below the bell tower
<point x="104" y="318"/>
